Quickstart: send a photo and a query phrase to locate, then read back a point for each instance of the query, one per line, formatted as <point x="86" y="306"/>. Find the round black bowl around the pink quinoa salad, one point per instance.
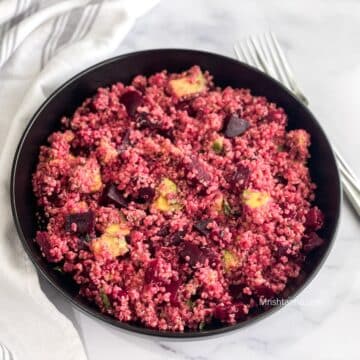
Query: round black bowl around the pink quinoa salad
<point x="123" y="68"/>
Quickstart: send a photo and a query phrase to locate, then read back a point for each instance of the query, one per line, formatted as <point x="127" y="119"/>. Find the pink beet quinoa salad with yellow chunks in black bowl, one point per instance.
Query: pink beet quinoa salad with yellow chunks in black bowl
<point x="173" y="203"/>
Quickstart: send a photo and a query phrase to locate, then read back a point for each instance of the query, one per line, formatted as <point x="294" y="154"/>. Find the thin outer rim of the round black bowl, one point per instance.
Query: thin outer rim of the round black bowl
<point x="203" y="334"/>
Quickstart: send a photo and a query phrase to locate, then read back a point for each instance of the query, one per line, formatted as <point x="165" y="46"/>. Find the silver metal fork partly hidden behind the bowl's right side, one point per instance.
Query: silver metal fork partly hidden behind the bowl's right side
<point x="264" y="52"/>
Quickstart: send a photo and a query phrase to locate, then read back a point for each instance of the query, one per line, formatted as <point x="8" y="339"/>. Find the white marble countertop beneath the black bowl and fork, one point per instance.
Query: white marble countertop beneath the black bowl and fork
<point x="322" y="42"/>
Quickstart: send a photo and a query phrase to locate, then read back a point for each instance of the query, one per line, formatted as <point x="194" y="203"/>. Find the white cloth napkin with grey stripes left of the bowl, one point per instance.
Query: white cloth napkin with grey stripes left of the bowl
<point x="42" y="44"/>
